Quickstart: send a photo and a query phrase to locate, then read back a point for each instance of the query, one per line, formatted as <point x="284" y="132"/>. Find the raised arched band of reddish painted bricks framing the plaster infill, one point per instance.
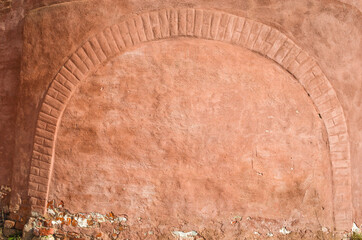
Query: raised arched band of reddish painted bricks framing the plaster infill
<point x="195" y="23"/>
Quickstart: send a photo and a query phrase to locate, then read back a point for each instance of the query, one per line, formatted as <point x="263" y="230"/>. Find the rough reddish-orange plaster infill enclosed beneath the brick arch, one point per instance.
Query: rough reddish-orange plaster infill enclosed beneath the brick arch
<point x="192" y="132"/>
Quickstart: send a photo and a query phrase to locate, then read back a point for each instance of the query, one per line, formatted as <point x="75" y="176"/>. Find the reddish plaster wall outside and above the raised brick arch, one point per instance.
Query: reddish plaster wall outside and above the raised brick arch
<point x="328" y="30"/>
